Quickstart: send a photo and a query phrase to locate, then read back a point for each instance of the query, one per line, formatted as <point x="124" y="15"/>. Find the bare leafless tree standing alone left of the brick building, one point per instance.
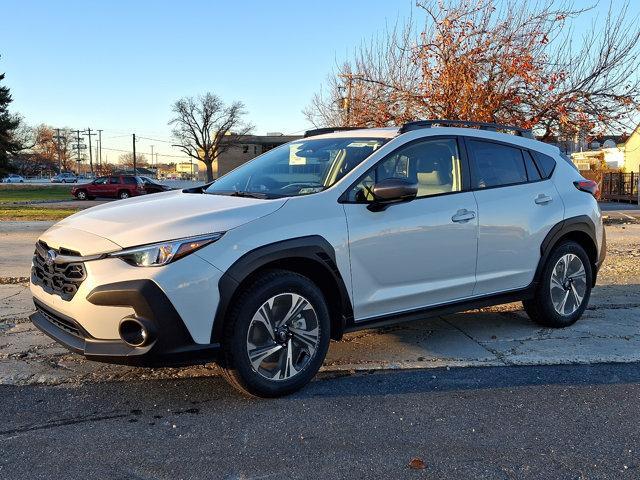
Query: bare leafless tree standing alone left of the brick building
<point x="204" y="127"/>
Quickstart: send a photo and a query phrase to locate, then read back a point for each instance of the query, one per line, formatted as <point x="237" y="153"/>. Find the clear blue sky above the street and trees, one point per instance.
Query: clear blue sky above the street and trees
<point x="118" y="65"/>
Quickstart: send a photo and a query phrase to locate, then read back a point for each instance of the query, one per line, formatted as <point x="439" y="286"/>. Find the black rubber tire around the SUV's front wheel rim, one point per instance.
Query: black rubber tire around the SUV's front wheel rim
<point x="235" y="362"/>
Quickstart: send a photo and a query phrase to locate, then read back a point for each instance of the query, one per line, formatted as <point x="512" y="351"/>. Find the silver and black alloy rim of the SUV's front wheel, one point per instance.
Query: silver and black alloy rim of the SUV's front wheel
<point x="283" y="336"/>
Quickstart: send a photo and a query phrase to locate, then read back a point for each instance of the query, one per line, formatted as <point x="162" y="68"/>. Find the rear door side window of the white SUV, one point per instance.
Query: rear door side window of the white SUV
<point x="496" y="164"/>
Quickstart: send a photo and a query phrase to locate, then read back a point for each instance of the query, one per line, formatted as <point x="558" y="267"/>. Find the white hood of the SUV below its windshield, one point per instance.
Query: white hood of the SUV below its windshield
<point x="166" y="216"/>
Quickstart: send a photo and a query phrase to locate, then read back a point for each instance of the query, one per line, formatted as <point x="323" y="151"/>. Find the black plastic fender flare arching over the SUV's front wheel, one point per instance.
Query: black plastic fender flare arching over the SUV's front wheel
<point x="313" y="247"/>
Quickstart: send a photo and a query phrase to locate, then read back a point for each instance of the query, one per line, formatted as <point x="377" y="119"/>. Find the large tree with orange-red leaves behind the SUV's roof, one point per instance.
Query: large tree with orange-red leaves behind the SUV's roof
<point x="489" y="60"/>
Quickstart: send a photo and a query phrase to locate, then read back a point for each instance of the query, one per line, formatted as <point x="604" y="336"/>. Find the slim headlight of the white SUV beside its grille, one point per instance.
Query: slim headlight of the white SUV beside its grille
<point x="158" y="254"/>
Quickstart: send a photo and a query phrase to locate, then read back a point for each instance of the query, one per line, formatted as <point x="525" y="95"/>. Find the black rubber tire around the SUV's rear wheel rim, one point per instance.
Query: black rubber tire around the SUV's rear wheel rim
<point x="541" y="309"/>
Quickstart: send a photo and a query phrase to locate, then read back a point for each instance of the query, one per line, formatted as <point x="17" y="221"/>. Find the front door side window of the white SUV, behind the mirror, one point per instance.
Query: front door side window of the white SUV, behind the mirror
<point x="433" y="164"/>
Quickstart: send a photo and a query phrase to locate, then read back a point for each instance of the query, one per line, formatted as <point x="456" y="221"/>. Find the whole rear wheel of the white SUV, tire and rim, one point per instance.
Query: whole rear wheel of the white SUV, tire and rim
<point x="564" y="290"/>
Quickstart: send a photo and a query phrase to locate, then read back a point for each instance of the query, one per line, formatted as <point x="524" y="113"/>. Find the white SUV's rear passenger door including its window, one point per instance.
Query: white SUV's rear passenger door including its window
<point x="517" y="206"/>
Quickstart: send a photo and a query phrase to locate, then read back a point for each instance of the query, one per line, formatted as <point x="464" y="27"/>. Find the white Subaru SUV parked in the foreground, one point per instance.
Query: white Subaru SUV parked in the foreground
<point x="339" y="231"/>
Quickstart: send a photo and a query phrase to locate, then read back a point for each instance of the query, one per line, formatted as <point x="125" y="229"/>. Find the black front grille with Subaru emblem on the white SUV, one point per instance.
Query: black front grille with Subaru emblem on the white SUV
<point x="59" y="279"/>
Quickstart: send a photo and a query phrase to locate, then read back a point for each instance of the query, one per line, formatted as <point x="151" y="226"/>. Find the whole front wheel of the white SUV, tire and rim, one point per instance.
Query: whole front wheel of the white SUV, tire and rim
<point x="276" y="336"/>
